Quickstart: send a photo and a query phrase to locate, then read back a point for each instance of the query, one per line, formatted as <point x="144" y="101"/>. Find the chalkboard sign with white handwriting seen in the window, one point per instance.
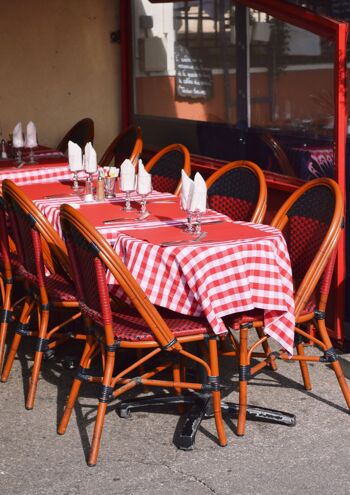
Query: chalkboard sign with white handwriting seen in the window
<point x="193" y="80"/>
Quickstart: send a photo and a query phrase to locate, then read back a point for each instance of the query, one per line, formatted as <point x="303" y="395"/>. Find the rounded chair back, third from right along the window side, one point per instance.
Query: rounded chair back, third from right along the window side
<point x="166" y="165"/>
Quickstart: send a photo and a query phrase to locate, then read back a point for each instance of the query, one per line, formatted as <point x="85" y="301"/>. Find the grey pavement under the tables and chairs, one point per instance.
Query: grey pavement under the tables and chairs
<point x="137" y="456"/>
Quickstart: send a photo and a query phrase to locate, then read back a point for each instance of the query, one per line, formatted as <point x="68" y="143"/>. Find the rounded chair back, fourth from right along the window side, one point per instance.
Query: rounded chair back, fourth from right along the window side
<point x="128" y="144"/>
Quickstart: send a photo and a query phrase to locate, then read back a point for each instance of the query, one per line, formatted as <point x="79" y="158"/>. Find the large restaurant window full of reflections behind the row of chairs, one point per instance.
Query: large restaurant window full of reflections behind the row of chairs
<point x="196" y="62"/>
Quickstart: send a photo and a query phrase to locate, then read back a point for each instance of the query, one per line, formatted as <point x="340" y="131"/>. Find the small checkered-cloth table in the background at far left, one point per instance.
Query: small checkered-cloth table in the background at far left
<point x="52" y="166"/>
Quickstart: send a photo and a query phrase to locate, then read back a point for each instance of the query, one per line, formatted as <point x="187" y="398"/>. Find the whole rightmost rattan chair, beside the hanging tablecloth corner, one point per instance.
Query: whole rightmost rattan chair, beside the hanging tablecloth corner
<point x="311" y="221"/>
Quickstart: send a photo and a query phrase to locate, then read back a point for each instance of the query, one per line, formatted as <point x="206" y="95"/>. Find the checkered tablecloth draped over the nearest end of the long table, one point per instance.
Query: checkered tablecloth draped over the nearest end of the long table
<point x="217" y="278"/>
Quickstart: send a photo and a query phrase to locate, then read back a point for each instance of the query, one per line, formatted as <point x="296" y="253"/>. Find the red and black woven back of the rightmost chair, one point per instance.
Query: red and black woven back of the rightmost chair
<point x="311" y="221"/>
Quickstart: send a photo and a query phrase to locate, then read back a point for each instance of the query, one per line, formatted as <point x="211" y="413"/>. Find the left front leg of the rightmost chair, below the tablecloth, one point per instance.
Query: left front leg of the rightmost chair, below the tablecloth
<point x="243" y="380"/>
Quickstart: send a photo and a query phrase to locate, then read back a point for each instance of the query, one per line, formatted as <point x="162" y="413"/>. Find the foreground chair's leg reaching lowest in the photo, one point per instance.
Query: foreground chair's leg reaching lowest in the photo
<point x="101" y="411"/>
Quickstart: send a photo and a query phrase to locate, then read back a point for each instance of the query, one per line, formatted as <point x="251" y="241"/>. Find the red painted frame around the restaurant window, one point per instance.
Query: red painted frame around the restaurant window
<point x="320" y="25"/>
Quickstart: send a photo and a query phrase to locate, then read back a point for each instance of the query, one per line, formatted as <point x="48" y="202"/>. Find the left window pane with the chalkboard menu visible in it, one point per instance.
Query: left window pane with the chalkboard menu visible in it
<point x="185" y="60"/>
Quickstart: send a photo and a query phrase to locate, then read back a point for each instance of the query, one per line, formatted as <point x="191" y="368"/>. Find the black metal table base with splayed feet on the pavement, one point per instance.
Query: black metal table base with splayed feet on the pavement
<point x="200" y="408"/>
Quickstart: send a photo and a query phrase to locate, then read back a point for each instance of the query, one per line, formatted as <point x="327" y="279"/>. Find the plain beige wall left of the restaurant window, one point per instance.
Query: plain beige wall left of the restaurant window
<point x="58" y="66"/>
